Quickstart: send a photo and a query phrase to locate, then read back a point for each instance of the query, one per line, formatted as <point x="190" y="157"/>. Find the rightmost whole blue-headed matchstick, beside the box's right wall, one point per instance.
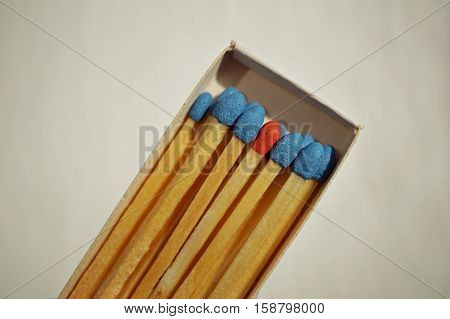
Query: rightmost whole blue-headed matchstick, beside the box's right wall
<point x="272" y="227"/>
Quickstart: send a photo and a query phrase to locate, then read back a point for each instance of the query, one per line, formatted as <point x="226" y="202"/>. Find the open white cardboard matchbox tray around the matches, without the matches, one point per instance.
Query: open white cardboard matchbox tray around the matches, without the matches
<point x="258" y="82"/>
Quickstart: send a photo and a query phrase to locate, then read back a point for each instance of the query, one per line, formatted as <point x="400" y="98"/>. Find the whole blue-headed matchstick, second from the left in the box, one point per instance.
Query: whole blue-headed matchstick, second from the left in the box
<point x="215" y="128"/>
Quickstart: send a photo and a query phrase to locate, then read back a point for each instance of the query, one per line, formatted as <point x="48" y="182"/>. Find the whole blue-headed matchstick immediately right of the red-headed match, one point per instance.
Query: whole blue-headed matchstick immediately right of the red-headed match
<point x="206" y="272"/>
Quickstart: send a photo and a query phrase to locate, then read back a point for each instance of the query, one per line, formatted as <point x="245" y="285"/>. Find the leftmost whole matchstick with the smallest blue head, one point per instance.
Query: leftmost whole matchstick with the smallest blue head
<point x="159" y="177"/>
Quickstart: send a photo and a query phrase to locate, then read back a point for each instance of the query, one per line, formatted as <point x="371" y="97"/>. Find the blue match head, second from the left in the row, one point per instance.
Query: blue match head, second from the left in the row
<point x="229" y="108"/>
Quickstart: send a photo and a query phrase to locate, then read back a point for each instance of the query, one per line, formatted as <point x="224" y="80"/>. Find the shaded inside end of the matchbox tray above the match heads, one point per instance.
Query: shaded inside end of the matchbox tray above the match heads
<point x="283" y="101"/>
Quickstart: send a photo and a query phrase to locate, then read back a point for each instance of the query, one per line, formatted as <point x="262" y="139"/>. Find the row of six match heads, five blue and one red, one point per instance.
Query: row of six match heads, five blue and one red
<point x="307" y="157"/>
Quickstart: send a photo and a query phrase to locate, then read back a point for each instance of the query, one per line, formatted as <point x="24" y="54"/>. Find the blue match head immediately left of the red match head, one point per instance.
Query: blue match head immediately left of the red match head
<point x="249" y="123"/>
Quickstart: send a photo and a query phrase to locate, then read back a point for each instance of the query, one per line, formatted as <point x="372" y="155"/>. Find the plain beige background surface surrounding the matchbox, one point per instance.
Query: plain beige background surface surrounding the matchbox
<point x="69" y="130"/>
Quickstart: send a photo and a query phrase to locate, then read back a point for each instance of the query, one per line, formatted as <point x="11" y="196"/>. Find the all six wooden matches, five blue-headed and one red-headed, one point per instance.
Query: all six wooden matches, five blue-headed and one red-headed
<point x="191" y="236"/>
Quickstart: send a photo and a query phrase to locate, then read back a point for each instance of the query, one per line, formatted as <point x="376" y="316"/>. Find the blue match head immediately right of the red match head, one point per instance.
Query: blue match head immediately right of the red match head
<point x="288" y="147"/>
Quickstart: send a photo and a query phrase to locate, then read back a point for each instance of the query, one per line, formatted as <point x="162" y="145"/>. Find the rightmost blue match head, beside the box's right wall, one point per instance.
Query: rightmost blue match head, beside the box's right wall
<point x="315" y="161"/>
